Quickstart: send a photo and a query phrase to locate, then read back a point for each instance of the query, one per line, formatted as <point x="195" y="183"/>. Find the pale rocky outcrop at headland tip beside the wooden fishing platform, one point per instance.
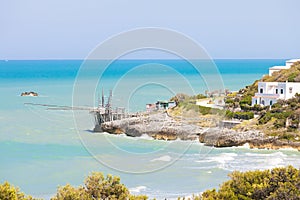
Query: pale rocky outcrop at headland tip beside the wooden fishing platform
<point x="158" y="126"/>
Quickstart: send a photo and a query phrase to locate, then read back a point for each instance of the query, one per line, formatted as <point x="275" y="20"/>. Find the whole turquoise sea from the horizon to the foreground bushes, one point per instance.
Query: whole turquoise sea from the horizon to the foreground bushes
<point x="42" y="148"/>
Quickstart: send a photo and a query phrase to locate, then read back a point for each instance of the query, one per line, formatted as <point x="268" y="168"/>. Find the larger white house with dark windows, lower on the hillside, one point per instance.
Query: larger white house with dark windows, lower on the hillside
<point x="269" y="92"/>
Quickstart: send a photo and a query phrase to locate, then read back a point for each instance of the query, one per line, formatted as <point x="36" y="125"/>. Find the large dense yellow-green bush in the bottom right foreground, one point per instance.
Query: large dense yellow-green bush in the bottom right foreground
<point x="278" y="183"/>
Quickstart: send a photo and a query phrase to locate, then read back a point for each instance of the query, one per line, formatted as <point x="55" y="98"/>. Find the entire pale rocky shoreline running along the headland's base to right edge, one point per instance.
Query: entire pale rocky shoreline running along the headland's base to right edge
<point x="163" y="127"/>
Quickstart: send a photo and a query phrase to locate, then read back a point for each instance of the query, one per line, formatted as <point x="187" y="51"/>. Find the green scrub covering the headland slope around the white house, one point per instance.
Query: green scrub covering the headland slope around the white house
<point x="282" y="120"/>
